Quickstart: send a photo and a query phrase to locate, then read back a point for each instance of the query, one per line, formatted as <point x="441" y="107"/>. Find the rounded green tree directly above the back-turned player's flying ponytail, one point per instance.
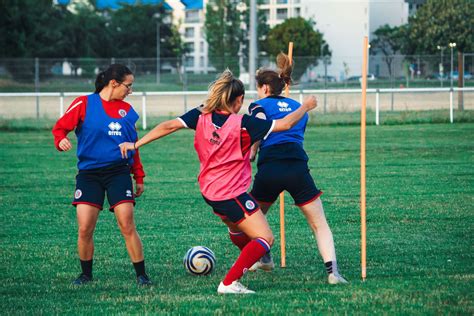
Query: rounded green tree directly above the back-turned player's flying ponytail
<point x="306" y="40"/>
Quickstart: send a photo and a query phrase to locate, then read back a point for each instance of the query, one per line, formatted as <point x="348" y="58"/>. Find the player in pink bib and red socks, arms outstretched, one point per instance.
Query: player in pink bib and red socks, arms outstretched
<point x="222" y="141"/>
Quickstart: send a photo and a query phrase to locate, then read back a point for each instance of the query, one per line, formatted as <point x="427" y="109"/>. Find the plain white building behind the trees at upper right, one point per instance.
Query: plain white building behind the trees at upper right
<point x="344" y="23"/>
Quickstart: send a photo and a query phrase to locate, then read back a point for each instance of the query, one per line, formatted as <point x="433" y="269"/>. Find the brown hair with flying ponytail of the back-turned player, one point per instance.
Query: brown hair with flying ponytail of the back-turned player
<point x="276" y="80"/>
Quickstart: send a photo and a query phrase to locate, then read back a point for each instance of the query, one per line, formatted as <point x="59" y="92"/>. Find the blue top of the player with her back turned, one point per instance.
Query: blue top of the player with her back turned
<point x="280" y="145"/>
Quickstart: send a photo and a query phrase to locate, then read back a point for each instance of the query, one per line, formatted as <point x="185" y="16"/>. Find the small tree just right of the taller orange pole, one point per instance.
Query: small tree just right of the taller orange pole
<point x="388" y="41"/>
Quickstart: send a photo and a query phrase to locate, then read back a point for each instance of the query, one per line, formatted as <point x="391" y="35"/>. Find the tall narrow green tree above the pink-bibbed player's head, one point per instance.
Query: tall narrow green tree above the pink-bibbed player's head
<point x="223" y="34"/>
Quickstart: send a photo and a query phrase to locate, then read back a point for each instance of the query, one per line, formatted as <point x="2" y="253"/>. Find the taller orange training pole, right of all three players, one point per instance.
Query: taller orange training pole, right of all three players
<point x="362" y="160"/>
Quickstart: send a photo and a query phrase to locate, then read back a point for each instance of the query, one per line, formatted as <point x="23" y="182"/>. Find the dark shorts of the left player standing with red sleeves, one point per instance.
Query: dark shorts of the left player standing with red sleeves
<point x="91" y="186"/>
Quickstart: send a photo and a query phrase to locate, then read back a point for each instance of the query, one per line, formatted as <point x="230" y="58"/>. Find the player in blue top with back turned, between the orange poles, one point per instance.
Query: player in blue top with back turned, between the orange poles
<point x="283" y="164"/>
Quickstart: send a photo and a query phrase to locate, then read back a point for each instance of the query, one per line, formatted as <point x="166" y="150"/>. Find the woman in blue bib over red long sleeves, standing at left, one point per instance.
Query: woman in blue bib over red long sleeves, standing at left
<point x="101" y="121"/>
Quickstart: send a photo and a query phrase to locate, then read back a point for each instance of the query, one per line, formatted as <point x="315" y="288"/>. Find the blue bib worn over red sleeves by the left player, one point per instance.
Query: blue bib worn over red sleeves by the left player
<point x="99" y="136"/>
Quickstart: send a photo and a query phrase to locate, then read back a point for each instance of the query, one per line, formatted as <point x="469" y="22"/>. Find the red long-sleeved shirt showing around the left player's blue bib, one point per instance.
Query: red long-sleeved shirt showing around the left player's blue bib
<point x="75" y="115"/>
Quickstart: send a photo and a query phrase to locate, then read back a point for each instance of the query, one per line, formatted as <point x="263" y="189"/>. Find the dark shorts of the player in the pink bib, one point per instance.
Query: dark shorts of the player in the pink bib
<point x="234" y="209"/>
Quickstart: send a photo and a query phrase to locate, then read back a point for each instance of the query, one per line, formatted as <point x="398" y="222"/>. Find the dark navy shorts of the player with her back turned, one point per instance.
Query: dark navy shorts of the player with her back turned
<point x="277" y="176"/>
